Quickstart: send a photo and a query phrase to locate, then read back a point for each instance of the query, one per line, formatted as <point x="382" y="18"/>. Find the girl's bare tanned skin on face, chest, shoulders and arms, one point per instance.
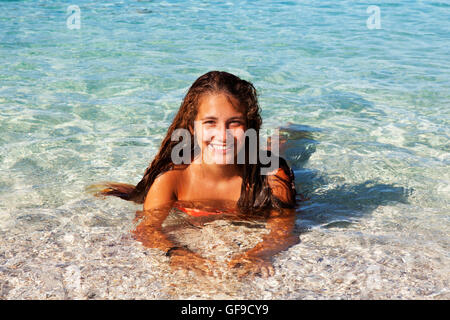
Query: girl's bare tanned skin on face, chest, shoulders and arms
<point x="209" y="178"/>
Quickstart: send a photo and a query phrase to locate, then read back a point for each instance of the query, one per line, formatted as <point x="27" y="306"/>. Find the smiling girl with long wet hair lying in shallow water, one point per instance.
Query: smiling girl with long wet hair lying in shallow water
<point x="217" y="111"/>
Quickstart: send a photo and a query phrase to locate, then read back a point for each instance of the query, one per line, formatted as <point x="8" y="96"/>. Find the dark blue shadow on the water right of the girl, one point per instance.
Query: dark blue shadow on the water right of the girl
<point x="328" y="203"/>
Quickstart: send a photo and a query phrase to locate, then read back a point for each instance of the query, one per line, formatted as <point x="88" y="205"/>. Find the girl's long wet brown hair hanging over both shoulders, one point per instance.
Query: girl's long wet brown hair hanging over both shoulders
<point x="256" y="193"/>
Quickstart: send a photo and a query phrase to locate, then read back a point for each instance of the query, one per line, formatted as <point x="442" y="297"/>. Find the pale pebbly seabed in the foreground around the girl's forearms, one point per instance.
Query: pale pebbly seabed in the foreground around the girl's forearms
<point x="42" y="262"/>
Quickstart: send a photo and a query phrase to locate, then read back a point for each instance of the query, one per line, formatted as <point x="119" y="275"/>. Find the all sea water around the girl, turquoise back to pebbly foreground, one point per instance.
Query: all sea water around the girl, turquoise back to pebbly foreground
<point x="366" y="112"/>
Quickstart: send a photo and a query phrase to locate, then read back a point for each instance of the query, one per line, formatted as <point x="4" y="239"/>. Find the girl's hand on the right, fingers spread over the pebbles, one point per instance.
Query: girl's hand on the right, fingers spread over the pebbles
<point x="251" y="265"/>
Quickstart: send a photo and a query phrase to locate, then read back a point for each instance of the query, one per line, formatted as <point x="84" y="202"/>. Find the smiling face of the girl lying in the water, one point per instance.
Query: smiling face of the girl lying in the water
<point x="219" y="128"/>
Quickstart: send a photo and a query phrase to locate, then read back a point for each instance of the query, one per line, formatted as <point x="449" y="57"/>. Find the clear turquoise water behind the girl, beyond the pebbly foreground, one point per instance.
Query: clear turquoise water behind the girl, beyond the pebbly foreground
<point x="88" y="105"/>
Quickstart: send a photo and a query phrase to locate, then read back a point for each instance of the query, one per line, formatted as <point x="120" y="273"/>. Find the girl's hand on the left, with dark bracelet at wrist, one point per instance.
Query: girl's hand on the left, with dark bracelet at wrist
<point x="188" y="260"/>
